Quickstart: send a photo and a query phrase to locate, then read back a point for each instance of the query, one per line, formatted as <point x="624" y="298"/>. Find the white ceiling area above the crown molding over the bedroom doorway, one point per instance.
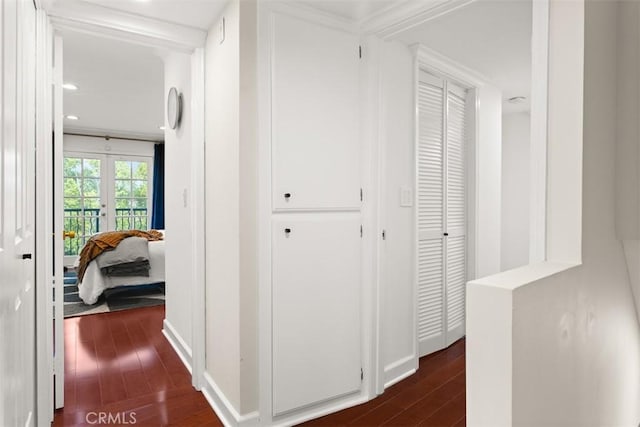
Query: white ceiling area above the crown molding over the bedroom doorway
<point x="192" y="13"/>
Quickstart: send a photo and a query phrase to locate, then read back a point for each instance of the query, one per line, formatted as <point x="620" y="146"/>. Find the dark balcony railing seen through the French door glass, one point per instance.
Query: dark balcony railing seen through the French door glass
<point x="86" y="222"/>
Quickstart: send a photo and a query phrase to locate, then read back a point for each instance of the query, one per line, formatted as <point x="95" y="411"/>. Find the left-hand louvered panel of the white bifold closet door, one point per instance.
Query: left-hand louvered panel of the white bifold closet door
<point x="430" y="214"/>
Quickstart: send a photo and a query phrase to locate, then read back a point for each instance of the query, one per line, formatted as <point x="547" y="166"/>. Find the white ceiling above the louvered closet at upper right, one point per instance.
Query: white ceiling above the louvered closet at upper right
<point x="493" y="37"/>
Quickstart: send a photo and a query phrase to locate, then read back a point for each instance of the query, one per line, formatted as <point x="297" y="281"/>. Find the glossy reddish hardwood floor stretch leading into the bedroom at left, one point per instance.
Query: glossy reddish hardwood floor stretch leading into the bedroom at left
<point x="120" y="363"/>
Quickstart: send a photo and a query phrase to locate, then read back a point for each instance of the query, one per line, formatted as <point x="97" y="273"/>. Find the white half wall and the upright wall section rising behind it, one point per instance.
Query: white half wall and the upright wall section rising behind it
<point x="575" y="353"/>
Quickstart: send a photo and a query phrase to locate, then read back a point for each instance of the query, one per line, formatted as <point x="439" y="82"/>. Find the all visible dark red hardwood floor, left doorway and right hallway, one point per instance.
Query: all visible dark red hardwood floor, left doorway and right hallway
<point x="120" y="363"/>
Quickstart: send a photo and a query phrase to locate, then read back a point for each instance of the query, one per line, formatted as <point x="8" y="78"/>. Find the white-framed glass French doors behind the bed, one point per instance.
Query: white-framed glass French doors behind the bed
<point x="103" y="192"/>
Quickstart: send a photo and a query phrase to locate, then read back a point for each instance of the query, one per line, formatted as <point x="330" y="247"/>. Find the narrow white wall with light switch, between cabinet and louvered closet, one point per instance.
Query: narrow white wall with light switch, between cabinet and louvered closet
<point x="397" y="290"/>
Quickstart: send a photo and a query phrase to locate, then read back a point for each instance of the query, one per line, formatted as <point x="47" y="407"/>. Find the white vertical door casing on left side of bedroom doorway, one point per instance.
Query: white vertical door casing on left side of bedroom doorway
<point x="44" y="203"/>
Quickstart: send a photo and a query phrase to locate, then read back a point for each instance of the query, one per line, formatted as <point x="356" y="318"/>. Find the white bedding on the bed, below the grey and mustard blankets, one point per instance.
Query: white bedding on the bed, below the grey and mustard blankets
<point x="94" y="282"/>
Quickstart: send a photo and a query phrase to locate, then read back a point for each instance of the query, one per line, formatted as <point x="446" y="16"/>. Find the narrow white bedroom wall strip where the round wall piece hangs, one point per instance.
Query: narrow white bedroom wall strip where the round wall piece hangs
<point x="178" y="207"/>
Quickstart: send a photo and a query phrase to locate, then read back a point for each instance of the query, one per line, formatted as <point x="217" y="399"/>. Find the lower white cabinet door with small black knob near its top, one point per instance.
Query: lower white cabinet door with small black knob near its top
<point x="316" y="308"/>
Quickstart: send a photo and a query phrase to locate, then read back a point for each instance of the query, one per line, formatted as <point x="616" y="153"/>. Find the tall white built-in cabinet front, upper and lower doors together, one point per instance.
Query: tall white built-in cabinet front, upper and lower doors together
<point x="316" y="234"/>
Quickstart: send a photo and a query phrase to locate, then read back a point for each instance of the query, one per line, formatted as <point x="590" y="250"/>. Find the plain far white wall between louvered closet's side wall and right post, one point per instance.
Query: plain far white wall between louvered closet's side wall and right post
<point x="515" y="190"/>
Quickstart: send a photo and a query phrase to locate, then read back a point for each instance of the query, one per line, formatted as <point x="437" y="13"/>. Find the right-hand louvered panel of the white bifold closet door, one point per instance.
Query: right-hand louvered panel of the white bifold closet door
<point x="456" y="214"/>
